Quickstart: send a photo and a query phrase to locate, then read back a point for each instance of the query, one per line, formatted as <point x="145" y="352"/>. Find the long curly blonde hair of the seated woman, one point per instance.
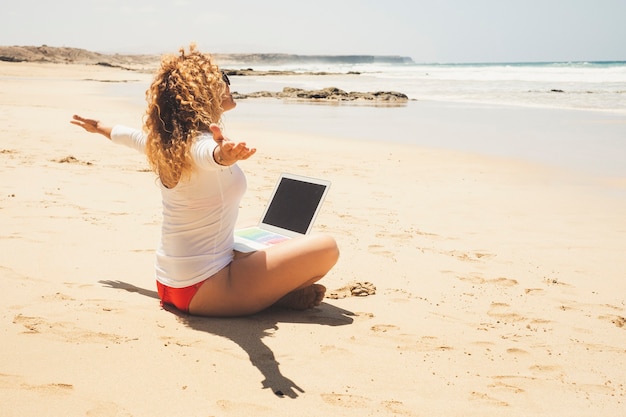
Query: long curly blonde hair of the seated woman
<point x="184" y="98"/>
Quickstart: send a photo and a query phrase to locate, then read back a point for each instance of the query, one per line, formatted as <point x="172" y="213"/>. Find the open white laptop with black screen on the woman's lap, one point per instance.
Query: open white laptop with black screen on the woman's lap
<point x="291" y="211"/>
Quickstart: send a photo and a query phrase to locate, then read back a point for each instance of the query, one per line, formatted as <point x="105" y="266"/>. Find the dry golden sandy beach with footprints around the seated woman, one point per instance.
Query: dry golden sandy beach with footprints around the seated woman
<point x="500" y="283"/>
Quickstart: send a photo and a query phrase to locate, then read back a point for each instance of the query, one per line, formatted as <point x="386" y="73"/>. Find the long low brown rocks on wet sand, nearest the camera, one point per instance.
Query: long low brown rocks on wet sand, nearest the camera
<point x="328" y="94"/>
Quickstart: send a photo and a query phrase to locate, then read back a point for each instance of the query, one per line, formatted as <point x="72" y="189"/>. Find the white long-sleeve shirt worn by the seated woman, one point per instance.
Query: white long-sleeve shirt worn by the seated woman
<point x="199" y="214"/>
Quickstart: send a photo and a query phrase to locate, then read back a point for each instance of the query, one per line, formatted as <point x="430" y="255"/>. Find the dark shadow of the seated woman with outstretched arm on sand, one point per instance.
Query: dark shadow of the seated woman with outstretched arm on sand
<point x="249" y="331"/>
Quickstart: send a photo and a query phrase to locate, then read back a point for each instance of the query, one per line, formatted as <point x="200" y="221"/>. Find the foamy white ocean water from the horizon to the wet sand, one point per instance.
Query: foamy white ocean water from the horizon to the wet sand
<point x="597" y="86"/>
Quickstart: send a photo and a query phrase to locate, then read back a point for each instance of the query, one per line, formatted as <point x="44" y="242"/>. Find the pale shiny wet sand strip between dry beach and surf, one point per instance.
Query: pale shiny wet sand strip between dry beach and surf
<point x="584" y="142"/>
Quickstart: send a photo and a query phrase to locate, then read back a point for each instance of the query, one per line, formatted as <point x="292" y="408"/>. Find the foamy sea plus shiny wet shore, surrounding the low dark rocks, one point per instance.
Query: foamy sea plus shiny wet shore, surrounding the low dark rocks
<point x="566" y="114"/>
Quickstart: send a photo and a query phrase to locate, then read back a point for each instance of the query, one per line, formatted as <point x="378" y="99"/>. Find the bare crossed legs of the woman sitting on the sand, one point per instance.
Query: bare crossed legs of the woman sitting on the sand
<point x="284" y="274"/>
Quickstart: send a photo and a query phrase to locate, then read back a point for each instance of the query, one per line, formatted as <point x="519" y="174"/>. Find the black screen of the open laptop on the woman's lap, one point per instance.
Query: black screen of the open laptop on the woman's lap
<point x="294" y="204"/>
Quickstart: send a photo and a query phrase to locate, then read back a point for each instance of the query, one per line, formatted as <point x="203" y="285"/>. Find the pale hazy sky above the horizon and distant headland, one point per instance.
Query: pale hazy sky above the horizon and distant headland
<point x="444" y="31"/>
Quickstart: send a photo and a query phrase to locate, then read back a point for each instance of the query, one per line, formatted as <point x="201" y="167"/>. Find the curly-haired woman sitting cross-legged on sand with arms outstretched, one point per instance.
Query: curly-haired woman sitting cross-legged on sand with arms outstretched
<point x="197" y="270"/>
